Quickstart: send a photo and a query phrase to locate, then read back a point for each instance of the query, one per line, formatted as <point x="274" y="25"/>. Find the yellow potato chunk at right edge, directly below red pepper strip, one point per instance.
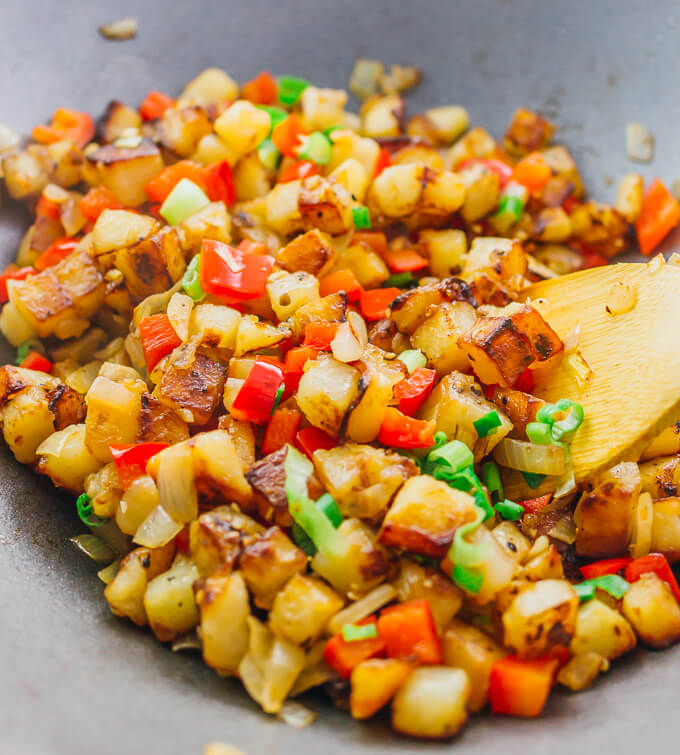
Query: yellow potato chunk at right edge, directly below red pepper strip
<point x="653" y="611"/>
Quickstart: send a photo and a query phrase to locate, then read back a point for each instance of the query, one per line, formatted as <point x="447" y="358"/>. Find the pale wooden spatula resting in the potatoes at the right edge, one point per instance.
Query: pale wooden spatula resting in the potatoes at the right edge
<point x="629" y="381"/>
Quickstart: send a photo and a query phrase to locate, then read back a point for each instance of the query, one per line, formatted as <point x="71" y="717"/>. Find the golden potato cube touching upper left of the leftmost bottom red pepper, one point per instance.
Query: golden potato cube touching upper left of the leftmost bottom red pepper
<point x="302" y="609"/>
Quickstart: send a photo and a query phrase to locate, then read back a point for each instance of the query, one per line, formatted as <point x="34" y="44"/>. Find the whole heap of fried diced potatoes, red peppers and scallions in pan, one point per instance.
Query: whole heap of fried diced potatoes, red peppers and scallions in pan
<point x="280" y="355"/>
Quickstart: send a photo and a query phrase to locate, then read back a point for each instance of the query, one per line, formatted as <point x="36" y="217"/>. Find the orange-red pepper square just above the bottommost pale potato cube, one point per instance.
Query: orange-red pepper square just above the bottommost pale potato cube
<point x="409" y="633"/>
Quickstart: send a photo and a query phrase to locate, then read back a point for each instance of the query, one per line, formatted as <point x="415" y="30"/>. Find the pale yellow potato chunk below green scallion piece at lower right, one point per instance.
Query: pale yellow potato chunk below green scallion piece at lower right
<point x="602" y="630"/>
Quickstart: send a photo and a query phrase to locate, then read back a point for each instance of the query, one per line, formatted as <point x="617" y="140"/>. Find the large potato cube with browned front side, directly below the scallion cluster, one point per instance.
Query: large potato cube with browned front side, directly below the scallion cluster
<point x="425" y="516"/>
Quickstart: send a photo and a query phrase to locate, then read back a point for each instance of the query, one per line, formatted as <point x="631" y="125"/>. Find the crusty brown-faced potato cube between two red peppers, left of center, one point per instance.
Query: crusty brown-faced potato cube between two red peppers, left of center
<point x="195" y="390"/>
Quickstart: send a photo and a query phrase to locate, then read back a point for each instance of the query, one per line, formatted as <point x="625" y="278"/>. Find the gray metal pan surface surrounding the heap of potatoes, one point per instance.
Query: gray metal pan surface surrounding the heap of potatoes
<point x="73" y="678"/>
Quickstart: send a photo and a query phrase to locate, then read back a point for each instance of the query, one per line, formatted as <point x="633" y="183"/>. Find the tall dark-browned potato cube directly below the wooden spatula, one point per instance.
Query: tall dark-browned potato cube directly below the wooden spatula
<point x="603" y="516"/>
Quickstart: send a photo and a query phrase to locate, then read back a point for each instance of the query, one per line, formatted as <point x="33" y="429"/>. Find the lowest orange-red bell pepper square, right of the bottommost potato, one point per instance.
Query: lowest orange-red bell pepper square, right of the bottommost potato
<point x="521" y="688"/>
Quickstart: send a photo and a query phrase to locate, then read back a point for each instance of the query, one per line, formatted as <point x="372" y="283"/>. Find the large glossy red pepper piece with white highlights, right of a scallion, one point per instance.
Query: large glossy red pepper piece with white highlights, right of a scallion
<point x="232" y="273"/>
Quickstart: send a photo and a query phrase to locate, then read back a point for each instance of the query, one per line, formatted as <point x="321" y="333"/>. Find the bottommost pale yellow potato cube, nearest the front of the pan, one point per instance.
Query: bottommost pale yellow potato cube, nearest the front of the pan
<point x="432" y="703"/>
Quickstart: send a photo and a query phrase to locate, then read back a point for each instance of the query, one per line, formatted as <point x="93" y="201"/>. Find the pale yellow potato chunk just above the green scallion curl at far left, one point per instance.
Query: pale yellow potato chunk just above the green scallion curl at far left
<point x="65" y="458"/>
